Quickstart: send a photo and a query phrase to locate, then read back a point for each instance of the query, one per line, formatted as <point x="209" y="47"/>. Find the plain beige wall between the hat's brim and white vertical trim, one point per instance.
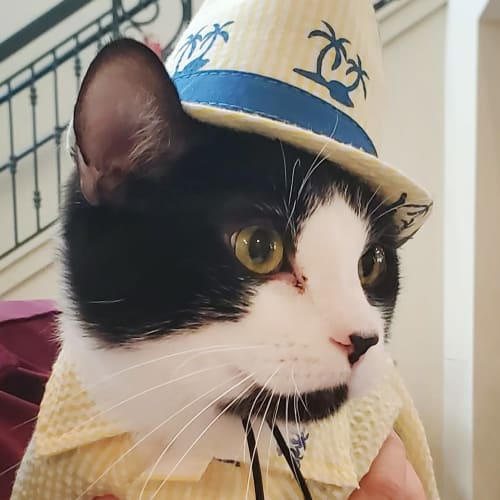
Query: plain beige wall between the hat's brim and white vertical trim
<point x="414" y="63"/>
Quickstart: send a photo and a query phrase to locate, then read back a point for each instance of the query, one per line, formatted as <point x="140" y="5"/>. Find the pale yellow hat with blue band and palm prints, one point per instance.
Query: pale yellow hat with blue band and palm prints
<point x="306" y="72"/>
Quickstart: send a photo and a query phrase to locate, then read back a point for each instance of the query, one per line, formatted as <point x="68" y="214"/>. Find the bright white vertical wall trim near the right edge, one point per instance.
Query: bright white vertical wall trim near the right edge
<point x="461" y="425"/>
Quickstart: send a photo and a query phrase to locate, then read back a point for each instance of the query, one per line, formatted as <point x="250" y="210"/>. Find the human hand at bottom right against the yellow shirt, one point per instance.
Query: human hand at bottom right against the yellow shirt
<point x="391" y="476"/>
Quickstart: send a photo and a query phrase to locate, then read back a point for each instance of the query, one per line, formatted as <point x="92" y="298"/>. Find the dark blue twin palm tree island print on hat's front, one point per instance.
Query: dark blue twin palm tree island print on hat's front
<point x="338" y="90"/>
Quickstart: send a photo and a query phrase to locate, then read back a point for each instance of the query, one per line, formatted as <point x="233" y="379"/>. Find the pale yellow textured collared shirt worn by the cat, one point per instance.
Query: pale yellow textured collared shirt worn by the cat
<point x="73" y="452"/>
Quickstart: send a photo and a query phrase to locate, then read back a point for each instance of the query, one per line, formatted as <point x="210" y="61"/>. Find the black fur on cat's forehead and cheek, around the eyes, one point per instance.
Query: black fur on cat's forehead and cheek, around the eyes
<point x="161" y="262"/>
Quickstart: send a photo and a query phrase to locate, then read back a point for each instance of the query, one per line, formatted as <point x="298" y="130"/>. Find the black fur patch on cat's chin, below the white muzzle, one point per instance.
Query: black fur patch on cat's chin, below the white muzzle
<point x="306" y="407"/>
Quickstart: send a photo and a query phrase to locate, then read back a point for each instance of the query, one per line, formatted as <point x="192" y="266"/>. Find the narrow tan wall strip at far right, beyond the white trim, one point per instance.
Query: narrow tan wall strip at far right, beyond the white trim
<point x="487" y="299"/>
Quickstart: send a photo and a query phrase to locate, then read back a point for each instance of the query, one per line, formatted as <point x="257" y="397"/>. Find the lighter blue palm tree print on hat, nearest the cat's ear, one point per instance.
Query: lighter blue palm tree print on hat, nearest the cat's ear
<point x="205" y="42"/>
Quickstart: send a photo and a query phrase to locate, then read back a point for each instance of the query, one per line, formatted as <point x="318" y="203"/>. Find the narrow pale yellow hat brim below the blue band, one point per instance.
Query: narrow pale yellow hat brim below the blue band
<point x="410" y="202"/>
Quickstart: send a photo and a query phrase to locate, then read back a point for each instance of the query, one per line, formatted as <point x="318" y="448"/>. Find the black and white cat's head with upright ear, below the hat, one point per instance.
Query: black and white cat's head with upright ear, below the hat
<point x="244" y="270"/>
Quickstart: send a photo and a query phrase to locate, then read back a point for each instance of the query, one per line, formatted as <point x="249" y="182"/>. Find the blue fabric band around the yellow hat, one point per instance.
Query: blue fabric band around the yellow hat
<point x="256" y="94"/>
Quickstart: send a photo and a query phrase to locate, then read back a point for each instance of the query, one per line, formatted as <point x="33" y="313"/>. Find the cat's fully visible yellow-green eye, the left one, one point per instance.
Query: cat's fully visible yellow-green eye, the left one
<point x="259" y="249"/>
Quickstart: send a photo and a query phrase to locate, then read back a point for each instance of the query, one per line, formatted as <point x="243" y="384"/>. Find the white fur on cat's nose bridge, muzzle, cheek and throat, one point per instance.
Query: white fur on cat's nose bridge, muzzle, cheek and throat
<point x="283" y="341"/>
